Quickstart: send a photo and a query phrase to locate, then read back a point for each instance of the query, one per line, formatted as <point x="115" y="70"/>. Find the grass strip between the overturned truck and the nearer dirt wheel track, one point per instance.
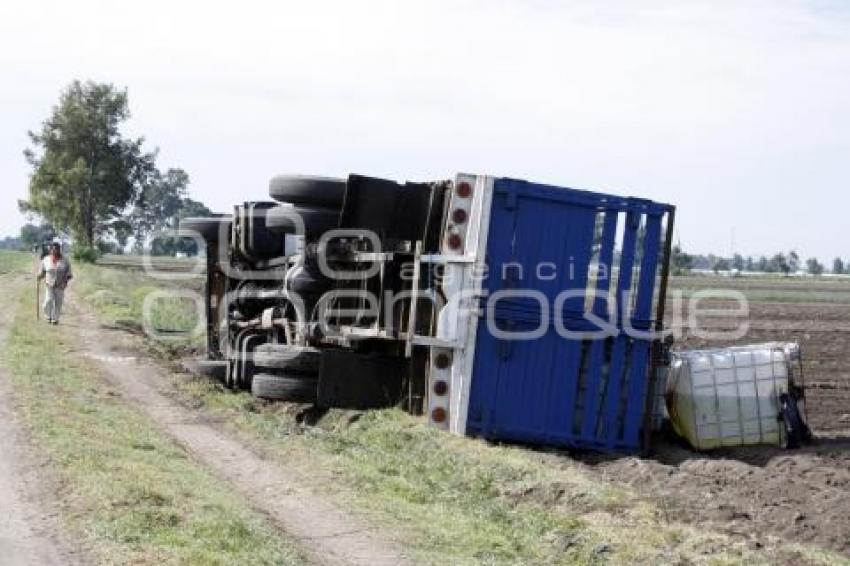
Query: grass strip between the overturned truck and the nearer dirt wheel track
<point x="459" y="501"/>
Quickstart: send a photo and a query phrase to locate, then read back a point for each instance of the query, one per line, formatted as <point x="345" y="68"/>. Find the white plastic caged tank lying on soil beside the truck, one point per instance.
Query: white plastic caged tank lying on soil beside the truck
<point x="730" y="396"/>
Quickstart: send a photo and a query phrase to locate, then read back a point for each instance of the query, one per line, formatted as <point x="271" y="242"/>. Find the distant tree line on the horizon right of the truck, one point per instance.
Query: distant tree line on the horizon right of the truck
<point x="786" y="264"/>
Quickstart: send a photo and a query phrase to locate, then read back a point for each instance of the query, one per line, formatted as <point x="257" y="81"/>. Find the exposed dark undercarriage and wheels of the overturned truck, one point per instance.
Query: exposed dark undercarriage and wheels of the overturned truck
<point x="309" y="297"/>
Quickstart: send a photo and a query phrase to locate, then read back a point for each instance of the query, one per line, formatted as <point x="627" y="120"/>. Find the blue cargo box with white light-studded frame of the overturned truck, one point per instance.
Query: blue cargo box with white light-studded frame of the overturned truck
<point x="527" y="348"/>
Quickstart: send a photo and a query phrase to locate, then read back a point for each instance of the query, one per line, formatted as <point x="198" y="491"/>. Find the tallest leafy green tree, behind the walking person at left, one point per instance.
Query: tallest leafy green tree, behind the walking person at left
<point x="85" y="172"/>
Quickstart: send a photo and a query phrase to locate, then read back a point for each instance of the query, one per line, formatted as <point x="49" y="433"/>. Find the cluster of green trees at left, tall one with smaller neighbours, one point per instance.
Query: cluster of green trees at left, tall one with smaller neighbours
<point x="91" y="182"/>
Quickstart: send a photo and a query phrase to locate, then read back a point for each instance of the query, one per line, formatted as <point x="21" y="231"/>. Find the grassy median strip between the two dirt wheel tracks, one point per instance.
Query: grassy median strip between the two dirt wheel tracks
<point x="129" y="492"/>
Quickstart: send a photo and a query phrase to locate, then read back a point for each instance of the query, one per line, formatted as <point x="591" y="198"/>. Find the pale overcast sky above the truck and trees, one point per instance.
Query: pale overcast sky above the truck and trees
<point x="737" y="112"/>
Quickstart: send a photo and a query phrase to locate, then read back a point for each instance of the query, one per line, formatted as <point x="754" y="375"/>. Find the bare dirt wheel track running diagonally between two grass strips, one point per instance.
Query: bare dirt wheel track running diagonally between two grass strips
<point x="328" y="535"/>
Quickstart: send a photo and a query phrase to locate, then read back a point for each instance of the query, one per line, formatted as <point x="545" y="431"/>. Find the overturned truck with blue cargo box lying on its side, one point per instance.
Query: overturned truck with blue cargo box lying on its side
<point x="499" y="308"/>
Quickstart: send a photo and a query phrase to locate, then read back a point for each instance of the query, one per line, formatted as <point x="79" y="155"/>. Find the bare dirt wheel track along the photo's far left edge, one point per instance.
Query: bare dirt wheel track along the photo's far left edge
<point x="28" y="533"/>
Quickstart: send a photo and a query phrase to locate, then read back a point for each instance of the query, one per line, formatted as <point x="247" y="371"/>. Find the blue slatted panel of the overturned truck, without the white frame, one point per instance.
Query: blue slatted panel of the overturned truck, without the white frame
<point x="544" y="371"/>
